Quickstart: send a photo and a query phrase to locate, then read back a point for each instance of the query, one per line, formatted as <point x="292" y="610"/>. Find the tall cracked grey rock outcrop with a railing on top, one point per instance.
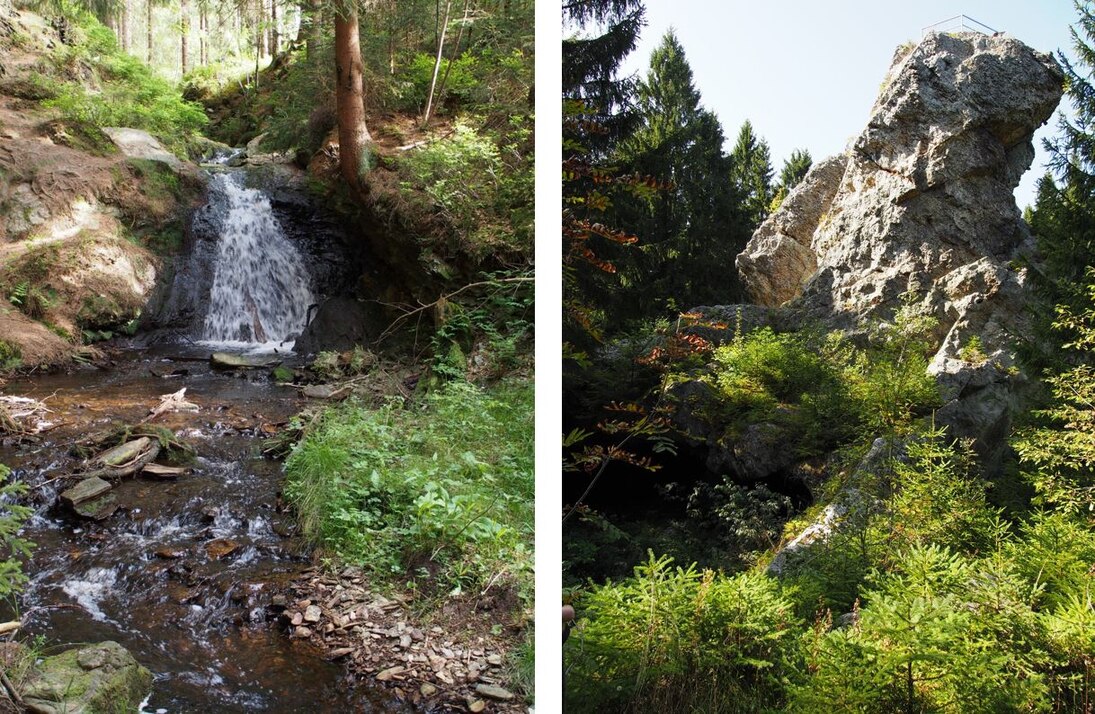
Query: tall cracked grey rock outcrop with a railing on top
<point x="923" y="202"/>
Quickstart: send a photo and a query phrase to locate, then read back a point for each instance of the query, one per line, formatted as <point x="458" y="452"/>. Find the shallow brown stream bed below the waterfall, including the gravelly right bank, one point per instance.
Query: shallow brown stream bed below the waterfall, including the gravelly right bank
<point x="202" y="577"/>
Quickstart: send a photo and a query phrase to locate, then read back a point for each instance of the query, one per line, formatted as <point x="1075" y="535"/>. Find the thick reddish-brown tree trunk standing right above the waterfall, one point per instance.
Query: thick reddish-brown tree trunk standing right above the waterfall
<point x="354" y="137"/>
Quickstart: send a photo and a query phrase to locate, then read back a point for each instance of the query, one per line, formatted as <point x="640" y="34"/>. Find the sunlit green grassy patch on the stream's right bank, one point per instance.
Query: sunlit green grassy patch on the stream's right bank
<point x="437" y="496"/>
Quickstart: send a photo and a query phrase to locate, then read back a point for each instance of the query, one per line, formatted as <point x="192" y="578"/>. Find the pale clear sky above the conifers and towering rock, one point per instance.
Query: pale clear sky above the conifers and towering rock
<point x="806" y="74"/>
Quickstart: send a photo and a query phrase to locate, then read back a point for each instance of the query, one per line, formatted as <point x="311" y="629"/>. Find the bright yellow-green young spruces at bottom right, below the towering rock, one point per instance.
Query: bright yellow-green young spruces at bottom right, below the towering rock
<point x="940" y="634"/>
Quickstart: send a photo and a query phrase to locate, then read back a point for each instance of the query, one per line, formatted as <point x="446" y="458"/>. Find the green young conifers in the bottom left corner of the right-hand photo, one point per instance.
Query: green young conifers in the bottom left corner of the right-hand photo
<point x="674" y="639"/>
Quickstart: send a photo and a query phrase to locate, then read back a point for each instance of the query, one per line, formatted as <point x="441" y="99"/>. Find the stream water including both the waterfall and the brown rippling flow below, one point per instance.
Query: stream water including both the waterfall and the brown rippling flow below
<point x="147" y="577"/>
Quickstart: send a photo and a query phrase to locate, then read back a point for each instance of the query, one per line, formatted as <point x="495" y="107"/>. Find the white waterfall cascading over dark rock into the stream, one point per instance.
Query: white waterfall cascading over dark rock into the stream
<point x="261" y="290"/>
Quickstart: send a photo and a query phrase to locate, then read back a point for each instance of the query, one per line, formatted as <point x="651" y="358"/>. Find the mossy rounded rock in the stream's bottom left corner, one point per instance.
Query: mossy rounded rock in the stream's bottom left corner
<point x="96" y="680"/>
